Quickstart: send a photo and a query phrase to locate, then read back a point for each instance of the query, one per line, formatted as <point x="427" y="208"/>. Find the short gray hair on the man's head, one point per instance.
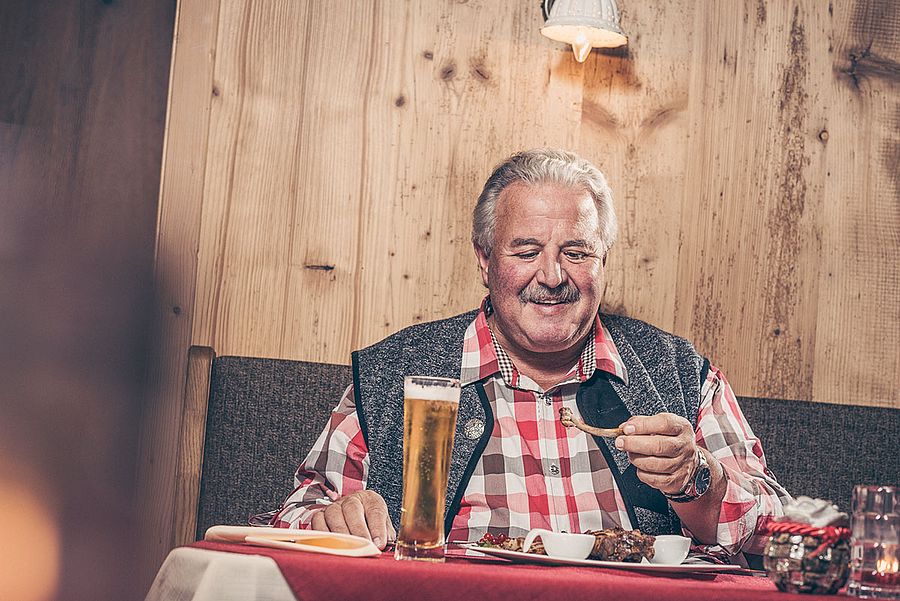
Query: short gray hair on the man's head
<point x="538" y="166"/>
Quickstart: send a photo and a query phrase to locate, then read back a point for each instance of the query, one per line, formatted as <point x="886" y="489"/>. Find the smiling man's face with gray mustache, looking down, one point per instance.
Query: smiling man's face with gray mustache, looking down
<point x="545" y="273"/>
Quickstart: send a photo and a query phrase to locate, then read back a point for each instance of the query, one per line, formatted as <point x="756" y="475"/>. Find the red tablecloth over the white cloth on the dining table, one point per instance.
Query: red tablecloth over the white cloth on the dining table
<point x="316" y="577"/>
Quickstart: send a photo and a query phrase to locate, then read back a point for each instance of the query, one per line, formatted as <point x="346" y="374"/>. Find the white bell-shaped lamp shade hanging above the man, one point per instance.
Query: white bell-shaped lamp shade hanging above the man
<point x="584" y="24"/>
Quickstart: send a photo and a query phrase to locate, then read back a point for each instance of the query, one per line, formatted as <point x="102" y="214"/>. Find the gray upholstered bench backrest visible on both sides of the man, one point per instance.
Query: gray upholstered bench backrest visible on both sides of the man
<point x="265" y="414"/>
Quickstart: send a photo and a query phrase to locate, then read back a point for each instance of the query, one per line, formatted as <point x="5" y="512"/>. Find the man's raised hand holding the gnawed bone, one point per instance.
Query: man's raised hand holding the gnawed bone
<point x="663" y="449"/>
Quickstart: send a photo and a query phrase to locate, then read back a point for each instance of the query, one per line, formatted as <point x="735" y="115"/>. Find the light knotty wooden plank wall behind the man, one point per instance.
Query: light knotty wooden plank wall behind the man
<point x="323" y="158"/>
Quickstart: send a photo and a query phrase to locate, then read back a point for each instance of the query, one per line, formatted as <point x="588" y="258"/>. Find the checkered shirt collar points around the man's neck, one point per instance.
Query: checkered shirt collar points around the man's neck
<point x="483" y="356"/>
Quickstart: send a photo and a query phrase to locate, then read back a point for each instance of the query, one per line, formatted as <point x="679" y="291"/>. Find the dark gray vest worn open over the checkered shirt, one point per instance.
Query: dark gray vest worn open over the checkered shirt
<point x="664" y="375"/>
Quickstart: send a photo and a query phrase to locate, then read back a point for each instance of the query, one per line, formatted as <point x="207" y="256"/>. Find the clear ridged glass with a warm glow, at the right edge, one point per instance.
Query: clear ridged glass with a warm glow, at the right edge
<point x="875" y="524"/>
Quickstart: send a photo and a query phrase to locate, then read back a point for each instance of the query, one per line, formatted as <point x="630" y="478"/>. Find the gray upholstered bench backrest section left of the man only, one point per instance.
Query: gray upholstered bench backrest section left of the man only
<point x="263" y="417"/>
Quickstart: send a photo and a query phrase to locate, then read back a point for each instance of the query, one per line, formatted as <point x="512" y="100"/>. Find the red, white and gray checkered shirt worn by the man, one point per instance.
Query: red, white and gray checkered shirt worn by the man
<point x="534" y="472"/>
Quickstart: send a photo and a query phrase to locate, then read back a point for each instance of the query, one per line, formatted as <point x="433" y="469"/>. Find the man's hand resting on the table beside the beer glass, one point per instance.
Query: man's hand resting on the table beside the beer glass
<point x="362" y="513"/>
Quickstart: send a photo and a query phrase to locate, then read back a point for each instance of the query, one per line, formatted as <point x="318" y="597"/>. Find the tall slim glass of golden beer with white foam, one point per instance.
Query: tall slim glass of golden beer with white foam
<point x="429" y="420"/>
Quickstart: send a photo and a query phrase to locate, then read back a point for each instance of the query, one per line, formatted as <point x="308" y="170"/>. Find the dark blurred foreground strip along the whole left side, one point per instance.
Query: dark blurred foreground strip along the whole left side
<point x="82" y="103"/>
